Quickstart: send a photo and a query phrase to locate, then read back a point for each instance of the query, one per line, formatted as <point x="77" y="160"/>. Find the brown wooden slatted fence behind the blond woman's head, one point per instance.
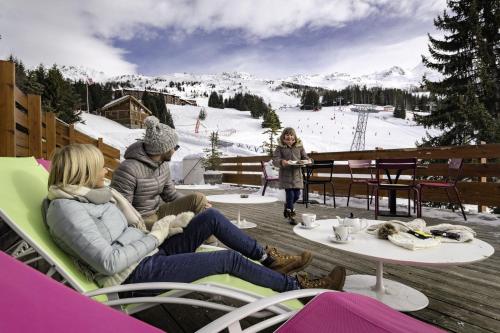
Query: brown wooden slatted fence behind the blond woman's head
<point x="25" y="130"/>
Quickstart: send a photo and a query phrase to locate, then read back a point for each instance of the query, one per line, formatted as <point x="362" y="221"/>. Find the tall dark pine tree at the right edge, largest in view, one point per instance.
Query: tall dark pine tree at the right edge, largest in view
<point x="468" y="98"/>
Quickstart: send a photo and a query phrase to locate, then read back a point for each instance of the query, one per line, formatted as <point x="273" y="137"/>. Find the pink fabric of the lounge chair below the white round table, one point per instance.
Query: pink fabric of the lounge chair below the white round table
<point x="352" y="313"/>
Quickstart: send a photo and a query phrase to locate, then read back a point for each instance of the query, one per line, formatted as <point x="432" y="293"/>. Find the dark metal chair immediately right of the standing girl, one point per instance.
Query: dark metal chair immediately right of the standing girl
<point x="309" y="175"/>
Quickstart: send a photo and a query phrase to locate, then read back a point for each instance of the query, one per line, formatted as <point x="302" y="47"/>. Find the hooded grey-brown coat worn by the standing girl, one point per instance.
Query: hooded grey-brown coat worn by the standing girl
<point x="290" y="176"/>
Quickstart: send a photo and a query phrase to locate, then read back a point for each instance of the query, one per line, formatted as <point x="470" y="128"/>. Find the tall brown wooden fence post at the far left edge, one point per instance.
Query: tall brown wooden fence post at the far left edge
<point x="7" y="109"/>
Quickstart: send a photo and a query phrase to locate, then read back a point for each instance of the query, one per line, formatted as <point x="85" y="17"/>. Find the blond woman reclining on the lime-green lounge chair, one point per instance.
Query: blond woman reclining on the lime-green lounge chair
<point x="100" y="228"/>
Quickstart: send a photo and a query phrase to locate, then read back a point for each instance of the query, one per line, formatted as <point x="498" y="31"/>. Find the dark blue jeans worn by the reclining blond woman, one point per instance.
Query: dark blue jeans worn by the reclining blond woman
<point x="177" y="262"/>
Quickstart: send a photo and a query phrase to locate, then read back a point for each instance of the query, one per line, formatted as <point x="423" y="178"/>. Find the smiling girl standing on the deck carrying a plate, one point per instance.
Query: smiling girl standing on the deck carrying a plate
<point x="290" y="152"/>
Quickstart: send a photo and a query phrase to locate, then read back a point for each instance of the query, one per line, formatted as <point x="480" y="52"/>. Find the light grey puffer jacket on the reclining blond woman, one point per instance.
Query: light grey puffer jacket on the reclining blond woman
<point x="98" y="235"/>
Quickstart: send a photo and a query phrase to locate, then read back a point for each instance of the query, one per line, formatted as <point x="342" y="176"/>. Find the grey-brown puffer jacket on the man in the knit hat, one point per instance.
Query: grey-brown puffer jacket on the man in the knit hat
<point x="144" y="182"/>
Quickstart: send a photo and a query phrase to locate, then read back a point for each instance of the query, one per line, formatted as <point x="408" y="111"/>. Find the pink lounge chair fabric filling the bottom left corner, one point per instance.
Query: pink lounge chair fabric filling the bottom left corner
<point x="32" y="302"/>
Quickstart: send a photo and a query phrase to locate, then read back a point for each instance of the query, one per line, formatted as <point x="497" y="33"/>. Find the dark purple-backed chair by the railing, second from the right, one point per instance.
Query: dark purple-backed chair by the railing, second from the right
<point x="393" y="169"/>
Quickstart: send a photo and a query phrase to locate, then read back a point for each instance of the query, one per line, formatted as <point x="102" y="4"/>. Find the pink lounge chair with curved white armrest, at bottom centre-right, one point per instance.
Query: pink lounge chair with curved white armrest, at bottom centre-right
<point x="327" y="313"/>
